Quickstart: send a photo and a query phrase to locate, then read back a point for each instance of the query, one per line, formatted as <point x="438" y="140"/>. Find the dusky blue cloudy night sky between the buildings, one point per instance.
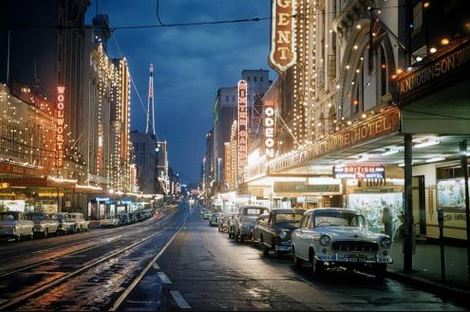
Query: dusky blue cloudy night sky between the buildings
<point x="191" y="63"/>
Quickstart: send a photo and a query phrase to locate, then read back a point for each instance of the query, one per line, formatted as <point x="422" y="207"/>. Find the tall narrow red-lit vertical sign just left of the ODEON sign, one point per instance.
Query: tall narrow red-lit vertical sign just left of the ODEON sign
<point x="242" y="126"/>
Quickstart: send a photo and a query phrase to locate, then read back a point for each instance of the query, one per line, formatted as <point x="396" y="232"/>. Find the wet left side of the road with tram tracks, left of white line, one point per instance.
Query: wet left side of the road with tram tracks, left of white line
<point x="85" y="271"/>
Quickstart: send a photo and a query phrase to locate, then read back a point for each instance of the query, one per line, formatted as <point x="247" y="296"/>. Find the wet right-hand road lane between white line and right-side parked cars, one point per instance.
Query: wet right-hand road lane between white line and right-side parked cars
<point x="203" y="270"/>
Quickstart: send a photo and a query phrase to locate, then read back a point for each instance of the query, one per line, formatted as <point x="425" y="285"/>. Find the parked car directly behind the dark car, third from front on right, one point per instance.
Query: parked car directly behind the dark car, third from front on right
<point x="245" y="220"/>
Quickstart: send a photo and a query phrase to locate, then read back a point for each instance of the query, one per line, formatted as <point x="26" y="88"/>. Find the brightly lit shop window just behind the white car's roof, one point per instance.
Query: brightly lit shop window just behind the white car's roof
<point x="382" y="211"/>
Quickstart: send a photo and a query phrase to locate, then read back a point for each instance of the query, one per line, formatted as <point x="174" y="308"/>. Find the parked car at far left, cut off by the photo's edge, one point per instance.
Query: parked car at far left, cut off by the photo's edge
<point x="14" y="225"/>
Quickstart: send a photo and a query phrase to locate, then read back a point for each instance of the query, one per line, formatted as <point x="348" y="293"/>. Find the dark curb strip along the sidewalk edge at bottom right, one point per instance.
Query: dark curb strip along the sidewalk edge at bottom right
<point x="431" y="286"/>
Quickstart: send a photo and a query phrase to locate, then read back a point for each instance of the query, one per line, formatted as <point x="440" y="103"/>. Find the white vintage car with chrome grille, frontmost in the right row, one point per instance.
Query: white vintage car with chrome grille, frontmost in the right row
<point x="339" y="237"/>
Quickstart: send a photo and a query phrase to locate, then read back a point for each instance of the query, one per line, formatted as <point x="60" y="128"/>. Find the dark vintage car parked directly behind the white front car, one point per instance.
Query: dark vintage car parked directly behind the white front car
<point x="273" y="232"/>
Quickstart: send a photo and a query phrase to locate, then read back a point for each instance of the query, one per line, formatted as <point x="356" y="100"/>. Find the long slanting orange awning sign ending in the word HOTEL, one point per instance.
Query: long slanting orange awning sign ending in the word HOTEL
<point x="380" y="125"/>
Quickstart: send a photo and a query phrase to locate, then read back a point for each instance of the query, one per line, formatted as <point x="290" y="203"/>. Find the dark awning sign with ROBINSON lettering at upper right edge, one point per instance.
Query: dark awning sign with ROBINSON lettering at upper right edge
<point x="440" y="69"/>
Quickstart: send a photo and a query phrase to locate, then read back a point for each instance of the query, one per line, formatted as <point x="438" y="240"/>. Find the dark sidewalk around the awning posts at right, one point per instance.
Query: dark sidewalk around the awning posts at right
<point x="427" y="269"/>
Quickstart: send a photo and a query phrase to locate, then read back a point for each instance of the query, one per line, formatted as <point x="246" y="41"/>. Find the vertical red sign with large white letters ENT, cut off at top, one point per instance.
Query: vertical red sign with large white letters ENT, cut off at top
<point x="282" y="54"/>
